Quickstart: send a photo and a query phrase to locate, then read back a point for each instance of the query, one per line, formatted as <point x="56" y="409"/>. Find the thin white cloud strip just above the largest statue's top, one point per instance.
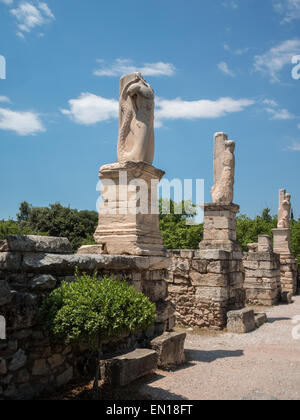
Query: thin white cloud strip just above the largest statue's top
<point x="121" y="67"/>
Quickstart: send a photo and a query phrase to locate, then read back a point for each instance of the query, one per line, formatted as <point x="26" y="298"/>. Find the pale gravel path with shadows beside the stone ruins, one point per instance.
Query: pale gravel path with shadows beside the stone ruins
<point x="264" y="364"/>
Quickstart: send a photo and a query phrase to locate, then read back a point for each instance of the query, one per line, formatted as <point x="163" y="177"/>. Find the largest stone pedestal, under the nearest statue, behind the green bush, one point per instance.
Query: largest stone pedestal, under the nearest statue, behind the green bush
<point x="128" y="215"/>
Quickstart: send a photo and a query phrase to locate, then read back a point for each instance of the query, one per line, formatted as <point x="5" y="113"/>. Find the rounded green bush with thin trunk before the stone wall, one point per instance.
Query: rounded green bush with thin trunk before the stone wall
<point x="91" y="312"/>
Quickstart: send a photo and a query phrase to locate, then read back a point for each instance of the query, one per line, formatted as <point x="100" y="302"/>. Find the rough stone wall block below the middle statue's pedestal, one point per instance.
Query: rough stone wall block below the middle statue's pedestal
<point x="204" y="286"/>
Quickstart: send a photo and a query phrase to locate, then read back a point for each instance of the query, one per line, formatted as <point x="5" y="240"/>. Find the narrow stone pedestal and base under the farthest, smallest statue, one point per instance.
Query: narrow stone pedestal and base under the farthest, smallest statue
<point x="288" y="263"/>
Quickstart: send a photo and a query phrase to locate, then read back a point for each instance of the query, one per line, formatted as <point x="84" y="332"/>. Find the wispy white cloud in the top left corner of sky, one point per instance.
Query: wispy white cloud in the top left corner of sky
<point x="30" y="15"/>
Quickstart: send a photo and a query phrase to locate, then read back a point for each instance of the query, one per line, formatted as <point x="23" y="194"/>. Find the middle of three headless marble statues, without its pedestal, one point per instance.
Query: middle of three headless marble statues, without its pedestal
<point x="224" y="167"/>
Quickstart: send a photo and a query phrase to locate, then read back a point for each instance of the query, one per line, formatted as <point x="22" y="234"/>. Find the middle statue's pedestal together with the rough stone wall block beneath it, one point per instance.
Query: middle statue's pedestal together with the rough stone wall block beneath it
<point x="205" y="284"/>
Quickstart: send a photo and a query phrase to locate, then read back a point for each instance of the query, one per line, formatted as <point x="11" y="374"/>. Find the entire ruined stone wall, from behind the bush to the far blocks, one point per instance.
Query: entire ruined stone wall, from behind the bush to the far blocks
<point x="203" y="285"/>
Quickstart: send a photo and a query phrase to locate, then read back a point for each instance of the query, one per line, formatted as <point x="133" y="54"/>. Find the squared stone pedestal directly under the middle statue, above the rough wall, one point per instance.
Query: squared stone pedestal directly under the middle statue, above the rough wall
<point x="220" y="227"/>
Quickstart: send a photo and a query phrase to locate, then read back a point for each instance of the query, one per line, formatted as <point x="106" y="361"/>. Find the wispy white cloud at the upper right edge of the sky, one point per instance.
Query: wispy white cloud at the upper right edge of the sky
<point x="273" y="61"/>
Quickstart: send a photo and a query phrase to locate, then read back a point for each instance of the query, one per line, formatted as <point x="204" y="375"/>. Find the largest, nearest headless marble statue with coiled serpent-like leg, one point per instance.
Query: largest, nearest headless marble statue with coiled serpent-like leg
<point x="136" y="120"/>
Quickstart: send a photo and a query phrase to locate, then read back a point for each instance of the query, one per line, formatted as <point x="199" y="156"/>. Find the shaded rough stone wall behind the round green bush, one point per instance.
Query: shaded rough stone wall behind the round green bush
<point x="30" y="363"/>
